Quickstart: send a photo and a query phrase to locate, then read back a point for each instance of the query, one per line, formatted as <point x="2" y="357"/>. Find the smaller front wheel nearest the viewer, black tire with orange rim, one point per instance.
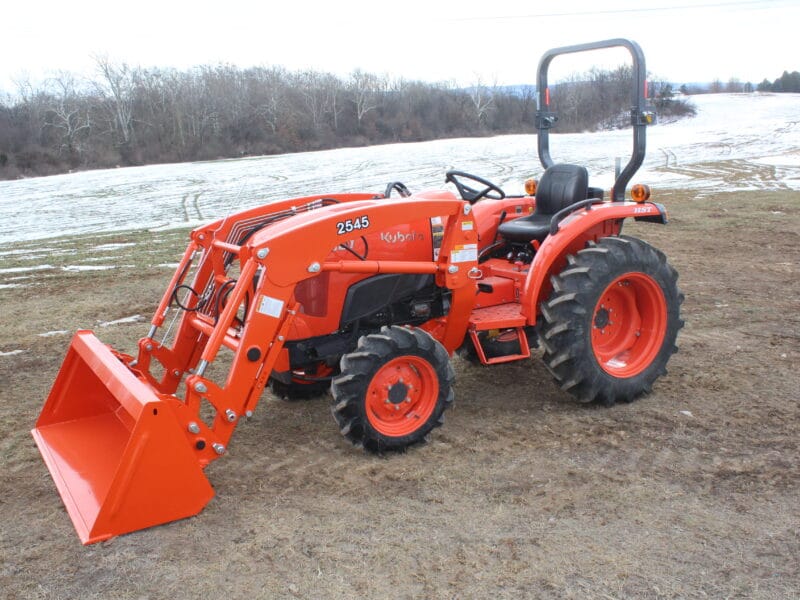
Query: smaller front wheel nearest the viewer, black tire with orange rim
<point x="379" y="410"/>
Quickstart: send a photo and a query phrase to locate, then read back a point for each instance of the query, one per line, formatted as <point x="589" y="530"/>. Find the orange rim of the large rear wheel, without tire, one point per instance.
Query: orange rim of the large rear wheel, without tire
<point x="629" y="324"/>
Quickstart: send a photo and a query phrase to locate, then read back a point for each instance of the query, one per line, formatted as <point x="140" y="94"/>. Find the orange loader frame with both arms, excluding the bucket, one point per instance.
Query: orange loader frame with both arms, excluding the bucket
<point x="272" y="264"/>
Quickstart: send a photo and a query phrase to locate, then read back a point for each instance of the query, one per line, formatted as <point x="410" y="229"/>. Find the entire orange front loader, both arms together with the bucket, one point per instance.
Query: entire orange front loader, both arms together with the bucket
<point x="126" y="446"/>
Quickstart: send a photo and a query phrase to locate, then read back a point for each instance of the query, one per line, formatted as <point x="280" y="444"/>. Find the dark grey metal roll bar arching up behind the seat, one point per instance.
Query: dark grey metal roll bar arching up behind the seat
<point x="641" y="114"/>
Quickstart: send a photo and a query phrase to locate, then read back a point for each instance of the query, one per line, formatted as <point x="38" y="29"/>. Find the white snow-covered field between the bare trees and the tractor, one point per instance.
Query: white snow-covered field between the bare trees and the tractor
<point x="736" y="142"/>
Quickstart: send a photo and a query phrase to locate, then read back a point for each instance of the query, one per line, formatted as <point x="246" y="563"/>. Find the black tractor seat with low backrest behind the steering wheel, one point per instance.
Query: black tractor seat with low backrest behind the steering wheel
<point x="560" y="187"/>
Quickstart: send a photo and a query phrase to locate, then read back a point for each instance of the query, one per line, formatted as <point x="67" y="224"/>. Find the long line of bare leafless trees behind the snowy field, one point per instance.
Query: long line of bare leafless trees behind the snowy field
<point x="131" y="116"/>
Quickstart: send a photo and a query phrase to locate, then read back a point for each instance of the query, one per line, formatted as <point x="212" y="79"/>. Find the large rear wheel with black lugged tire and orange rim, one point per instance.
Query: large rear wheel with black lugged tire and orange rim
<point x="593" y="357"/>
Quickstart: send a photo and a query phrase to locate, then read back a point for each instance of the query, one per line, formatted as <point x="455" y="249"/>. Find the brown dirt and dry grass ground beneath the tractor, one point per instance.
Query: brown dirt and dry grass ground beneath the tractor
<point x="690" y="492"/>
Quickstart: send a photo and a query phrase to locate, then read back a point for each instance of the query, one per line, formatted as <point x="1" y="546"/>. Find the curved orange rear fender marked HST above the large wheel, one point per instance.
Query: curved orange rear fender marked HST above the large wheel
<point x="574" y="231"/>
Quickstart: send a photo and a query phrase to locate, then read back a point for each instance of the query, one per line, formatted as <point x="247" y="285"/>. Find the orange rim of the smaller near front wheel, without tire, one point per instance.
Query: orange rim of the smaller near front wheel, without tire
<point x="402" y="396"/>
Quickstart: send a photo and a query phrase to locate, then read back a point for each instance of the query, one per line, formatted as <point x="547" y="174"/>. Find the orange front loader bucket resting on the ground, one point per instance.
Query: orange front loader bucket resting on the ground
<point x="114" y="448"/>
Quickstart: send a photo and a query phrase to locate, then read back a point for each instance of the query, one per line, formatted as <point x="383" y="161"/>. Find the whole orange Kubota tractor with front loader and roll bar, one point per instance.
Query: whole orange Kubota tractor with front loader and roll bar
<point x="367" y="295"/>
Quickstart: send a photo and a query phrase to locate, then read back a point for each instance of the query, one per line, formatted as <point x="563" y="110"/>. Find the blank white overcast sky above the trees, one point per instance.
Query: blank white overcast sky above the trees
<point x="496" y="41"/>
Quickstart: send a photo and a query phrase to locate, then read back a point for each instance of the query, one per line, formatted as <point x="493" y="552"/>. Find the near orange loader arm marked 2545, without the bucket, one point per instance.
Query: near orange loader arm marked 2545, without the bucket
<point x="277" y="258"/>
